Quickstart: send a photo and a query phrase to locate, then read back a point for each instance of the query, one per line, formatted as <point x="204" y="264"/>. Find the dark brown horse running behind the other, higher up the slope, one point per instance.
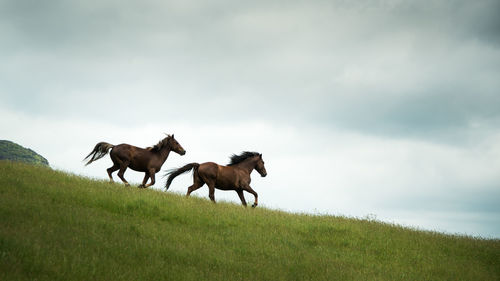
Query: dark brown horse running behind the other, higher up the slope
<point x="148" y="160"/>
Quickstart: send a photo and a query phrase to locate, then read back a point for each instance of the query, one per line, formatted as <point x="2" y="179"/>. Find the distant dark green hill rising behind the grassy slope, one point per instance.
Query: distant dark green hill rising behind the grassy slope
<point x="14" y="152"/>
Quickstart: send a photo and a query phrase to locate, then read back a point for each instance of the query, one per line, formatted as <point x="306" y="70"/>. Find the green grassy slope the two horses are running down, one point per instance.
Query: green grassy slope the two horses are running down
<point x="57" y="226"/>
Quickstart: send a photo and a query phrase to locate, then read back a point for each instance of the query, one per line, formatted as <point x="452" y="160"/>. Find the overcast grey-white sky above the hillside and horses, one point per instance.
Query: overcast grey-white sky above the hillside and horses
<point x="386" y="109"/>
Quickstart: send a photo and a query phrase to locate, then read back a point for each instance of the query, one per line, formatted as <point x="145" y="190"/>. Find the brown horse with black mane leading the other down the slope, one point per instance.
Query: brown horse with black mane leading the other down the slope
<point x="235" y="176"/>
